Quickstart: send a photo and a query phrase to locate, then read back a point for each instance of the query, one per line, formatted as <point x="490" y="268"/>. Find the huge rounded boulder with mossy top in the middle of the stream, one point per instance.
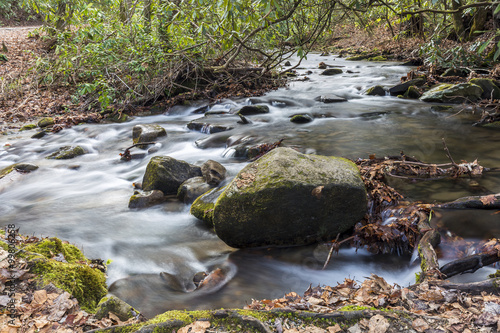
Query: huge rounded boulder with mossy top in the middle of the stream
<point x="288" y="198"/>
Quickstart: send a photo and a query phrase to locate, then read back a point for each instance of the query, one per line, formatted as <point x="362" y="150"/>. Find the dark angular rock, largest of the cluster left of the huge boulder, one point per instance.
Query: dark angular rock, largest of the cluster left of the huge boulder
<point x="166" y="174"/>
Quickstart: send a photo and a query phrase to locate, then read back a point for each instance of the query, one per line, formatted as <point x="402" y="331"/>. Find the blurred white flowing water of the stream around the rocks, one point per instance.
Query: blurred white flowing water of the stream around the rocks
<point x="85" y="200"/>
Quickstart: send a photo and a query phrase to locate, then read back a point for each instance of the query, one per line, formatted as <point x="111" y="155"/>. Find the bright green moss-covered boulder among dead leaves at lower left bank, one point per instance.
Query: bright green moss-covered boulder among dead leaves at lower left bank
<point x="65" y="266"/>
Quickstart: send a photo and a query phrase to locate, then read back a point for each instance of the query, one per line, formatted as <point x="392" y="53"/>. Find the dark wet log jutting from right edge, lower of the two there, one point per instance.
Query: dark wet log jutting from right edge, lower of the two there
<point x="470" y="264"/>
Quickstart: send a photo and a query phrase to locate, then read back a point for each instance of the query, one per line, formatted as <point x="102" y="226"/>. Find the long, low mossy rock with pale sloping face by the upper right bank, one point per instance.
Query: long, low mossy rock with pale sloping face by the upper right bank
<point x="453" y="93"/>
